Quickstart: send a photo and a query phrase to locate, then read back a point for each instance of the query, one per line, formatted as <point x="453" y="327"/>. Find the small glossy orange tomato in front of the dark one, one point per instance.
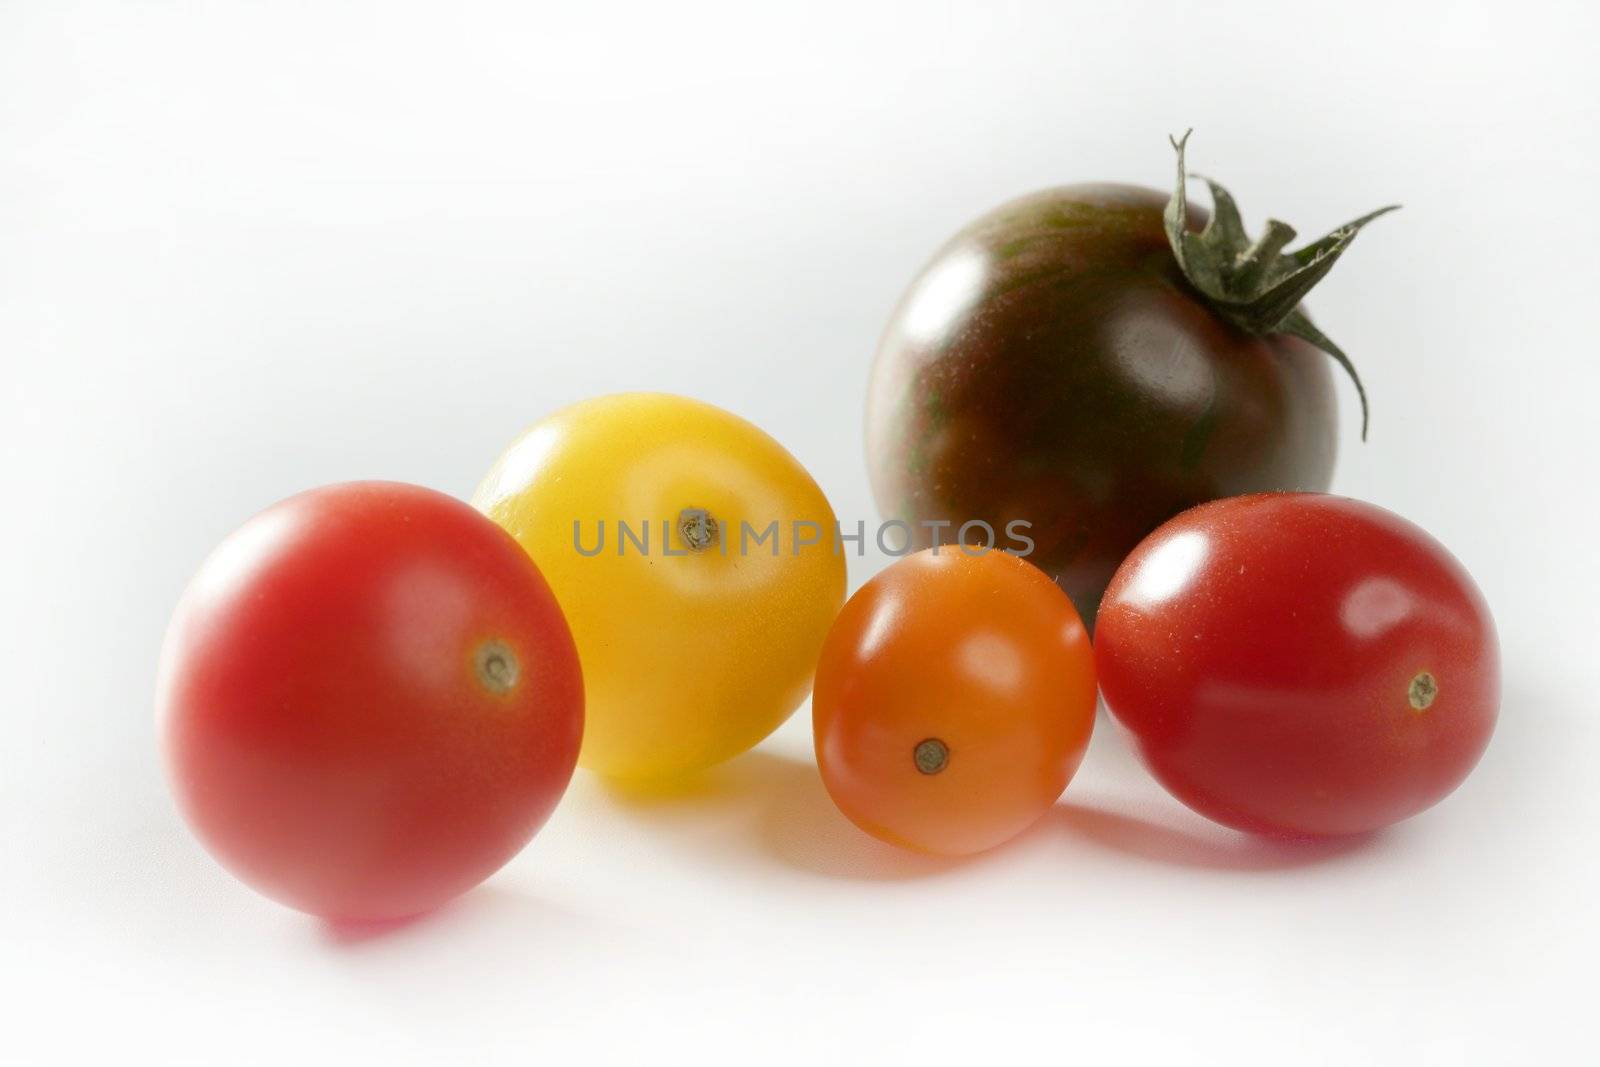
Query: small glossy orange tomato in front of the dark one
<point x="954" y="701"/>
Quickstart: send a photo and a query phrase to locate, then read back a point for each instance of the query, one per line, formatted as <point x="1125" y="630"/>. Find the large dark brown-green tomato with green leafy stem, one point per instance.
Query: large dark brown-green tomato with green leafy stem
<point x="1057" y="366"/>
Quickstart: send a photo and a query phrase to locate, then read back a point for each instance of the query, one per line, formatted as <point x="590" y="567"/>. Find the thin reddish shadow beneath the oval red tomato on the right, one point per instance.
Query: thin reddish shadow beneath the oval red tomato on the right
<point x="1209" y="847"/>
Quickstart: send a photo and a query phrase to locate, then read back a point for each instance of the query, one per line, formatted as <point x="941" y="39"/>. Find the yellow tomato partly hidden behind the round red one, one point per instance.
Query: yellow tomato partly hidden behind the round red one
<point x="698" y="625"/>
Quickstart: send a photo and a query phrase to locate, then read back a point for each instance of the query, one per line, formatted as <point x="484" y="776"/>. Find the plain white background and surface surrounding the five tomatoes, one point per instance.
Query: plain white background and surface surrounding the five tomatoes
<point x="247" y="249"/>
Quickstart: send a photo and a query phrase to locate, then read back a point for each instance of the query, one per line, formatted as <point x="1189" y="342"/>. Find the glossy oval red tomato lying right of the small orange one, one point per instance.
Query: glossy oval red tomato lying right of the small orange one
<point x="1263" y="653"/>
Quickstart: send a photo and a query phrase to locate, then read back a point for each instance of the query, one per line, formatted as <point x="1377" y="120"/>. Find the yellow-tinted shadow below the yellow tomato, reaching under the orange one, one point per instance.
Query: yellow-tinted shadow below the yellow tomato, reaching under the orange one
<point x="778" y="807"/>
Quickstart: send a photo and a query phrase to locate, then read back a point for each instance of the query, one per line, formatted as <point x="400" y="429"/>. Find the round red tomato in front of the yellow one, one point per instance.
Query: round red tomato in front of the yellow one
<point x="369" y="701"/>
